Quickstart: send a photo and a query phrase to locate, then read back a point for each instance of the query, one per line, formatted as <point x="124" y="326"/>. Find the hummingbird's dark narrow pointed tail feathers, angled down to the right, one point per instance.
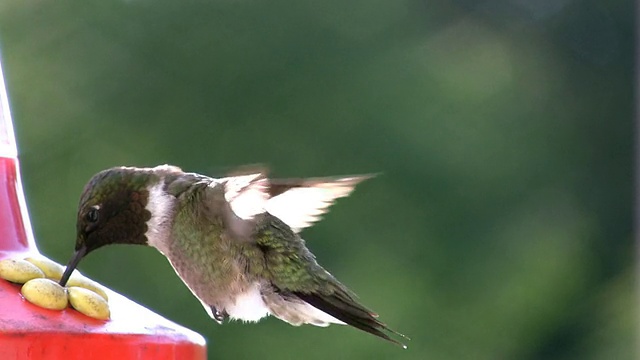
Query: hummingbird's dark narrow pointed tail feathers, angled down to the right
<point x="343" y="307"/>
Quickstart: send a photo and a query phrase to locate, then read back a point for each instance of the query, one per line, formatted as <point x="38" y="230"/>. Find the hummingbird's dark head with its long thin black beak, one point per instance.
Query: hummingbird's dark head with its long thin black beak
<point x="112" y="210"/>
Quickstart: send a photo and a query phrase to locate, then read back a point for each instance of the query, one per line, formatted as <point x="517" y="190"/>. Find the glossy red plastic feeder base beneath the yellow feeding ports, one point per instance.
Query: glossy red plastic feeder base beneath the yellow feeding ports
<point x="134" y="332"/>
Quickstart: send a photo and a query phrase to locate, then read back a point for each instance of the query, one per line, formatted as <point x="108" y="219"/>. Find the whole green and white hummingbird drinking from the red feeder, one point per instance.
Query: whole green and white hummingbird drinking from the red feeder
<point x="234" y="241"/>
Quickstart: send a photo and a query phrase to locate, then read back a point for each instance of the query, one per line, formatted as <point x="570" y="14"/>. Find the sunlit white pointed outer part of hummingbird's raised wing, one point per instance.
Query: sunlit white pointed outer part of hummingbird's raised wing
<point x="301" y="202"/>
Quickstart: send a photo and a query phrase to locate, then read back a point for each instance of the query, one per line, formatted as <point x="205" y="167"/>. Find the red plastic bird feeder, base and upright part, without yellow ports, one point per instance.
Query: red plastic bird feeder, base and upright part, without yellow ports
<point x="31" y="332"/>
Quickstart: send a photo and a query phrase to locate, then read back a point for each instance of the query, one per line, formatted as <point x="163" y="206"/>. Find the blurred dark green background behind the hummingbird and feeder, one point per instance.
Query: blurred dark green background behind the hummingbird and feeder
<point x="501" y="226"/>
